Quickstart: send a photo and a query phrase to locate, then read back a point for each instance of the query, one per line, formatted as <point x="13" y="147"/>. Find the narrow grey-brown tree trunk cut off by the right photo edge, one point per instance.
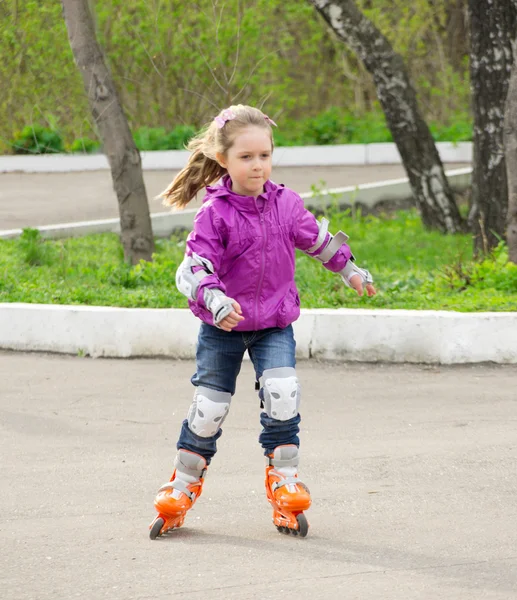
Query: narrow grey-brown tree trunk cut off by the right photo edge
<point x="510" y="155"/>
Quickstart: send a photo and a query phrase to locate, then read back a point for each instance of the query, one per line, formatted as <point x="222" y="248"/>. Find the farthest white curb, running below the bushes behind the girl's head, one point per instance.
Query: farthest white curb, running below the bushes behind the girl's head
<point x="284" y="156"/>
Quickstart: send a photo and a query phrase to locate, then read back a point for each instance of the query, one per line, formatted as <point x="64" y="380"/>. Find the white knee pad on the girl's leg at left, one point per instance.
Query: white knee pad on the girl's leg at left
<point x="208" y="411"/>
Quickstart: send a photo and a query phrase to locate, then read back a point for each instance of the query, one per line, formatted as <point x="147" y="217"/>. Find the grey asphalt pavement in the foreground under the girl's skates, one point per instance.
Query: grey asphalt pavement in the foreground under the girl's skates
<point x="411" y="469"/>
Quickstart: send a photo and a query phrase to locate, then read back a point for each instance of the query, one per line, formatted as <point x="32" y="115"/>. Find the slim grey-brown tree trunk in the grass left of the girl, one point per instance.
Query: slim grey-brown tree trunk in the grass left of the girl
<point x="119" y="146"/>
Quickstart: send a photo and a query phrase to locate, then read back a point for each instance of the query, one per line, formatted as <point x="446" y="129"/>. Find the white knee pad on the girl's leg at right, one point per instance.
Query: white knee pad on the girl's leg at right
<point x="281" y="391"/>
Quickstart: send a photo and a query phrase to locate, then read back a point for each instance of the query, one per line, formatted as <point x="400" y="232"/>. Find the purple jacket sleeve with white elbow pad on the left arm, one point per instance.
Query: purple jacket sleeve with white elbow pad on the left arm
<point x="205" y="244"/>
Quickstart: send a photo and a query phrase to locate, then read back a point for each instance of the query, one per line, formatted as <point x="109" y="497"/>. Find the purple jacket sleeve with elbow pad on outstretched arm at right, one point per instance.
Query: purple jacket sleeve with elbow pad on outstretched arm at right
<point x="314" y="239"/>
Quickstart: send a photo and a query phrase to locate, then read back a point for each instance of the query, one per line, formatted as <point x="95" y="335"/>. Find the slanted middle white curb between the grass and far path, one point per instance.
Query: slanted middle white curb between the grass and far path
<point x="367" y="194"/>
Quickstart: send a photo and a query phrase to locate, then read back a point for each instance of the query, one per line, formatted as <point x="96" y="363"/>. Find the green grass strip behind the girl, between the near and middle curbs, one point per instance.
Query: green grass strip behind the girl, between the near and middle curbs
<point x="412" y="268"/>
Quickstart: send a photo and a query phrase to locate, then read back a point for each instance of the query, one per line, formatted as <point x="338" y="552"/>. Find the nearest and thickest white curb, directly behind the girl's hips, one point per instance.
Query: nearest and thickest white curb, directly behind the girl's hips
<point x="345" y="334"/>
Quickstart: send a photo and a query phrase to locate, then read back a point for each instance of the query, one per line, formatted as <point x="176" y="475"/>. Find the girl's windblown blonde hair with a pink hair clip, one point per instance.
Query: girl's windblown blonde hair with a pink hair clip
<point x="202" y="168"/>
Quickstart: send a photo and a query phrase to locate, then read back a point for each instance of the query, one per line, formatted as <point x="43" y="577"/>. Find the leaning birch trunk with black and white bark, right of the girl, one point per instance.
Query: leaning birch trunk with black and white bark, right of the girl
<point x="434" y="198"/>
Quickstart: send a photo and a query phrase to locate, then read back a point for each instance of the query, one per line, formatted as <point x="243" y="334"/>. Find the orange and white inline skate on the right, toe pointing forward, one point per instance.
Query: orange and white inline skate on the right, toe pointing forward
<point x="288" y="496"/>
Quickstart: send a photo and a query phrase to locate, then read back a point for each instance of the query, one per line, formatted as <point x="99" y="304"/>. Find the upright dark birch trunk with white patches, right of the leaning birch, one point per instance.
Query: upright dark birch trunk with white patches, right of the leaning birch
<point x="492" y="30"/>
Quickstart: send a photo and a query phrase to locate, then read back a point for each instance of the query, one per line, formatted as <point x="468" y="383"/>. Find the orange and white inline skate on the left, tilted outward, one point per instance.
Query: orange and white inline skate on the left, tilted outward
<point x="178" y="496"/>
